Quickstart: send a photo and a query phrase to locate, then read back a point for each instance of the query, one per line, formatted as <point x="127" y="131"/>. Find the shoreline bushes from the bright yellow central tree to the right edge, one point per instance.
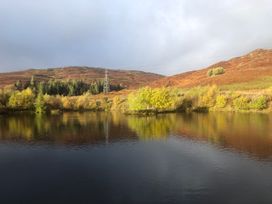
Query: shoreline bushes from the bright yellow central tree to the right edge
<point x="202" y="99"/>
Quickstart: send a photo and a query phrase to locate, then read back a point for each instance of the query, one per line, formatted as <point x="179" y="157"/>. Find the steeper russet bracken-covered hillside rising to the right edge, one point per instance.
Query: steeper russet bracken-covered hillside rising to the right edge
<point x="249" y="67"/>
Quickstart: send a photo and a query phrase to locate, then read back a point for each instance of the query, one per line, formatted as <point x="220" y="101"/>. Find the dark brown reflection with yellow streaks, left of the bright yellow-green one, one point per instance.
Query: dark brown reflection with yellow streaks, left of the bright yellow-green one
<point x="67" y="128"/>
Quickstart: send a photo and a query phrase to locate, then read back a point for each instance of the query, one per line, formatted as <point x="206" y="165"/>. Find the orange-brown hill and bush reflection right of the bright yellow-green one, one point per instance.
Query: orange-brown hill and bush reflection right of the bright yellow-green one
<point x="251" y="133"/>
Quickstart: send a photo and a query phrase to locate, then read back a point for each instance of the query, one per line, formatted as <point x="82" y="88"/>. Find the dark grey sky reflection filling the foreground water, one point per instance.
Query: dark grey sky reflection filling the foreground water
<point x="156" y="171"/>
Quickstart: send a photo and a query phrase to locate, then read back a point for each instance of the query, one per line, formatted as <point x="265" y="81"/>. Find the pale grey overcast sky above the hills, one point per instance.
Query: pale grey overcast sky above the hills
<point x="162" y="36"/>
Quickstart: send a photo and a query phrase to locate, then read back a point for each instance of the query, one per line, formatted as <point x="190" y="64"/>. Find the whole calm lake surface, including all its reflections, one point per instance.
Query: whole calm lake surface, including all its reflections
<point x="113" y="158"/>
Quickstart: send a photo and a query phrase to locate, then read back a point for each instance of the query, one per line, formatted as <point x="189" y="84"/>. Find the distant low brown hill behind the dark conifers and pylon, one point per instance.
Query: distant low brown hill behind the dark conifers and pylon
<point x="128" y="78"/>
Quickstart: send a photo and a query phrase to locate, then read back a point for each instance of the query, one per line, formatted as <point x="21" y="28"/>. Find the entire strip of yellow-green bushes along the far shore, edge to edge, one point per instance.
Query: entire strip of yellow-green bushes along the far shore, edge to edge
<point x="142" y="101"/>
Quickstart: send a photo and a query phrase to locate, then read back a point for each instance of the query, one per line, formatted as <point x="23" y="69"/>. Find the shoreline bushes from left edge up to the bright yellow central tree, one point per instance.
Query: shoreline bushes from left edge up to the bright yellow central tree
<point x="28" y="100"/>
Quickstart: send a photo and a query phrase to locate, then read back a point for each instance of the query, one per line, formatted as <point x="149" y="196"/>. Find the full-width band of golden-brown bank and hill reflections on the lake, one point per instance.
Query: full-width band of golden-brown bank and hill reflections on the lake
<point x="251" y="133"/>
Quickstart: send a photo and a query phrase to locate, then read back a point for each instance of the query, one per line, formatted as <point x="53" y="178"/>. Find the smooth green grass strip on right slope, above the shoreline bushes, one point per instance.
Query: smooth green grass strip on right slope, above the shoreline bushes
<point x="261" y="83"/>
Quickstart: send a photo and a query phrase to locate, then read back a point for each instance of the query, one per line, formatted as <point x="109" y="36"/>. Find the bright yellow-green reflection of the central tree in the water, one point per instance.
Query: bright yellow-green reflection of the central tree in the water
<point x="152" y="127"/>
